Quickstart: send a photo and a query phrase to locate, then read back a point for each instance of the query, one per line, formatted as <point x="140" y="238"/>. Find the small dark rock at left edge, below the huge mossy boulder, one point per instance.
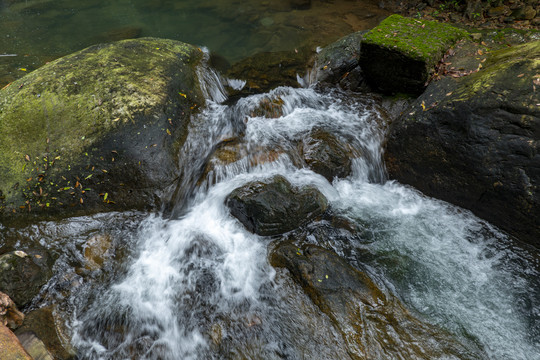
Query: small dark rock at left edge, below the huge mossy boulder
<point x="22" y="274"/>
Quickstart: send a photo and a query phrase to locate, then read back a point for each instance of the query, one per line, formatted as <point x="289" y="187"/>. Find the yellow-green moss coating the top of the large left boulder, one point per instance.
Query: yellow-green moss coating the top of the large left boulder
<point x="51" y="119"/>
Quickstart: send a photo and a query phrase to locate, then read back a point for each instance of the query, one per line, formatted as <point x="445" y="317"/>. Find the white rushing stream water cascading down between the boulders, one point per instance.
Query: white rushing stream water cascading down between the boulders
<point x="198" y="285"/>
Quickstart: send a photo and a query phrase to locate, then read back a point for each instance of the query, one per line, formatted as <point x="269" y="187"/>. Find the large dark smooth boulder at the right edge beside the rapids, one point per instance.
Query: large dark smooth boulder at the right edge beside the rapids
<point x="474" y="141"/>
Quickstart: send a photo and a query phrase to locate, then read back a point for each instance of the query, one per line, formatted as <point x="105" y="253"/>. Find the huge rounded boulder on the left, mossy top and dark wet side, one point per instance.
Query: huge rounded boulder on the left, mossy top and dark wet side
<point x="97" y="130"/>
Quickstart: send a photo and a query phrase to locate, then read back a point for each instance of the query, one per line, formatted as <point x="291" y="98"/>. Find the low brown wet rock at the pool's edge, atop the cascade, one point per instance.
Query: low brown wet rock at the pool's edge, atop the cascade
<point x="266" y="71"/>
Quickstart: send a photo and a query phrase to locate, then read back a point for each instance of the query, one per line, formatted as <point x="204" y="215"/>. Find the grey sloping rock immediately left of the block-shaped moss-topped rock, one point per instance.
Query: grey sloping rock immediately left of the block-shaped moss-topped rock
<point x="338" y="64"/>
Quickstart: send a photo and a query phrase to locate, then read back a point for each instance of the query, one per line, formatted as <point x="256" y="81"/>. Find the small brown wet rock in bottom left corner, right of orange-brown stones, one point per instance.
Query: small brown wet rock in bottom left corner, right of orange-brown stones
<point x="41" y="323"/>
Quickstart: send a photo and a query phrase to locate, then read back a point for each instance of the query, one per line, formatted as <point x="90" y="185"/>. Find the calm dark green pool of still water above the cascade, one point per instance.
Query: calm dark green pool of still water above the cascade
<point x="37" y="31"/>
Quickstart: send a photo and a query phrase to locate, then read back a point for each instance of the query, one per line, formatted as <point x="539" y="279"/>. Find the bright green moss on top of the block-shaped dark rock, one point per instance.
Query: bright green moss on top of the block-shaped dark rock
<point x="419" y="39"/>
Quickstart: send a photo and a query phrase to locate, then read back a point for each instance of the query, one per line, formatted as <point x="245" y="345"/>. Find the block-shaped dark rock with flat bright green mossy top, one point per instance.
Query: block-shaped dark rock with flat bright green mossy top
<point x="400" y="54"/>
